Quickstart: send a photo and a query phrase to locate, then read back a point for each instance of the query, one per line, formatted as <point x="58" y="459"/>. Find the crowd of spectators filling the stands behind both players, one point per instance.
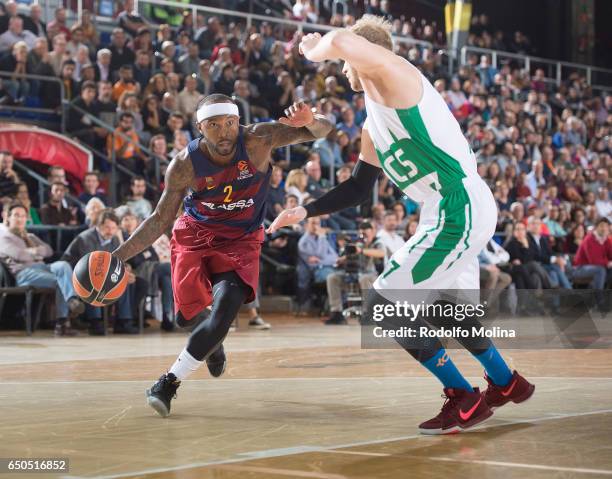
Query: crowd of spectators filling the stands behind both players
<point x="544" y="150"/>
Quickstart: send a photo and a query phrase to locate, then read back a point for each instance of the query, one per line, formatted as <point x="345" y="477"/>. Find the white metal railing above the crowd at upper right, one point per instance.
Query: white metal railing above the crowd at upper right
<point x="553" y="69"/>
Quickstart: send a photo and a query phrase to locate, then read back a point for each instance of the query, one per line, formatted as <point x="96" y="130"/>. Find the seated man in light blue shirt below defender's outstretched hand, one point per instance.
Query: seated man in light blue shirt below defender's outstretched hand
<point x="316" y="258"/>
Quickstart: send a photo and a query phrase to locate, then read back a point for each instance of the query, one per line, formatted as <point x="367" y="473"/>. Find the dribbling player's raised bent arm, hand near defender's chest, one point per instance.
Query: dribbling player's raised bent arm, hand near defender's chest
<point x="299" y="125"/>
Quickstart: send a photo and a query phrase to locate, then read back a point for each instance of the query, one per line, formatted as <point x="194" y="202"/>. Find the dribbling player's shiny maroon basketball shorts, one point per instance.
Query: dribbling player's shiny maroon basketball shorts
<point x="197" y="254"/>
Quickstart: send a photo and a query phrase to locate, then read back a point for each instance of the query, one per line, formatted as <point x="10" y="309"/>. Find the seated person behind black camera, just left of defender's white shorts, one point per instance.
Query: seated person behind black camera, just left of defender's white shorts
<point x="370" y="251"/>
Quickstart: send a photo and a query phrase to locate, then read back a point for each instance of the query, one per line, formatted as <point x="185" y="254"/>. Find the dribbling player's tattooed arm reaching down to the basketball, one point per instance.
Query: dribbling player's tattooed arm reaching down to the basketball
<point x="178" y="177"/>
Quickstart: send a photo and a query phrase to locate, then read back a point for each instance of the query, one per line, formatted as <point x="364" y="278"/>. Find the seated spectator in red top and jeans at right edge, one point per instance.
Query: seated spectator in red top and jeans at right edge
<point x="594" y="256"/>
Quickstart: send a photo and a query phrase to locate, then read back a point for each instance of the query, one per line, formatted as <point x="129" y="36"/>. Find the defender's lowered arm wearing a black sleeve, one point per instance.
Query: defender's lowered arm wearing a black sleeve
<point x="351" y="192"/>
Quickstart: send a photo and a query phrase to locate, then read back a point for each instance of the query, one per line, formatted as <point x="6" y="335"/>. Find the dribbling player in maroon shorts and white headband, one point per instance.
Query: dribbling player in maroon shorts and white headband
<point x="222" y="179"/>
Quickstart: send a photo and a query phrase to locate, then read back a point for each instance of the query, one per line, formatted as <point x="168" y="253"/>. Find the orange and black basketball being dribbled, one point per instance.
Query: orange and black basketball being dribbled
<point x="99" y="278"/>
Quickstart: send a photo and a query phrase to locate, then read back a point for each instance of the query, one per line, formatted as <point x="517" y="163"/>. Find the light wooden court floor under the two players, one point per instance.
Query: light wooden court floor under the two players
<point x="299" y="401"/>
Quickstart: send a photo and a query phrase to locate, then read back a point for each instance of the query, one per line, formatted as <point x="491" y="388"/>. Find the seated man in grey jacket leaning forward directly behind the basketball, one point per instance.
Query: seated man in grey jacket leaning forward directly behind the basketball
<point x="104" y="237"/>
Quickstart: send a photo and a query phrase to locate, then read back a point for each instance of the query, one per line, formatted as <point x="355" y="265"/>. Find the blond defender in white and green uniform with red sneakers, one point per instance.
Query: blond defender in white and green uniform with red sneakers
<point x="411" y="135"/>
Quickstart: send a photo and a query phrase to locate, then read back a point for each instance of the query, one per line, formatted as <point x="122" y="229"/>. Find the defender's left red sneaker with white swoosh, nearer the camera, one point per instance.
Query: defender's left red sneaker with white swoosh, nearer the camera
<point x="461" y="410"/>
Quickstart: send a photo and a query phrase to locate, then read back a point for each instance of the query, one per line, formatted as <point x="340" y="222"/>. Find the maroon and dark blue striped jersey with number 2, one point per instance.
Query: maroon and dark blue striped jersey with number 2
<point x="228" y="200"/>
